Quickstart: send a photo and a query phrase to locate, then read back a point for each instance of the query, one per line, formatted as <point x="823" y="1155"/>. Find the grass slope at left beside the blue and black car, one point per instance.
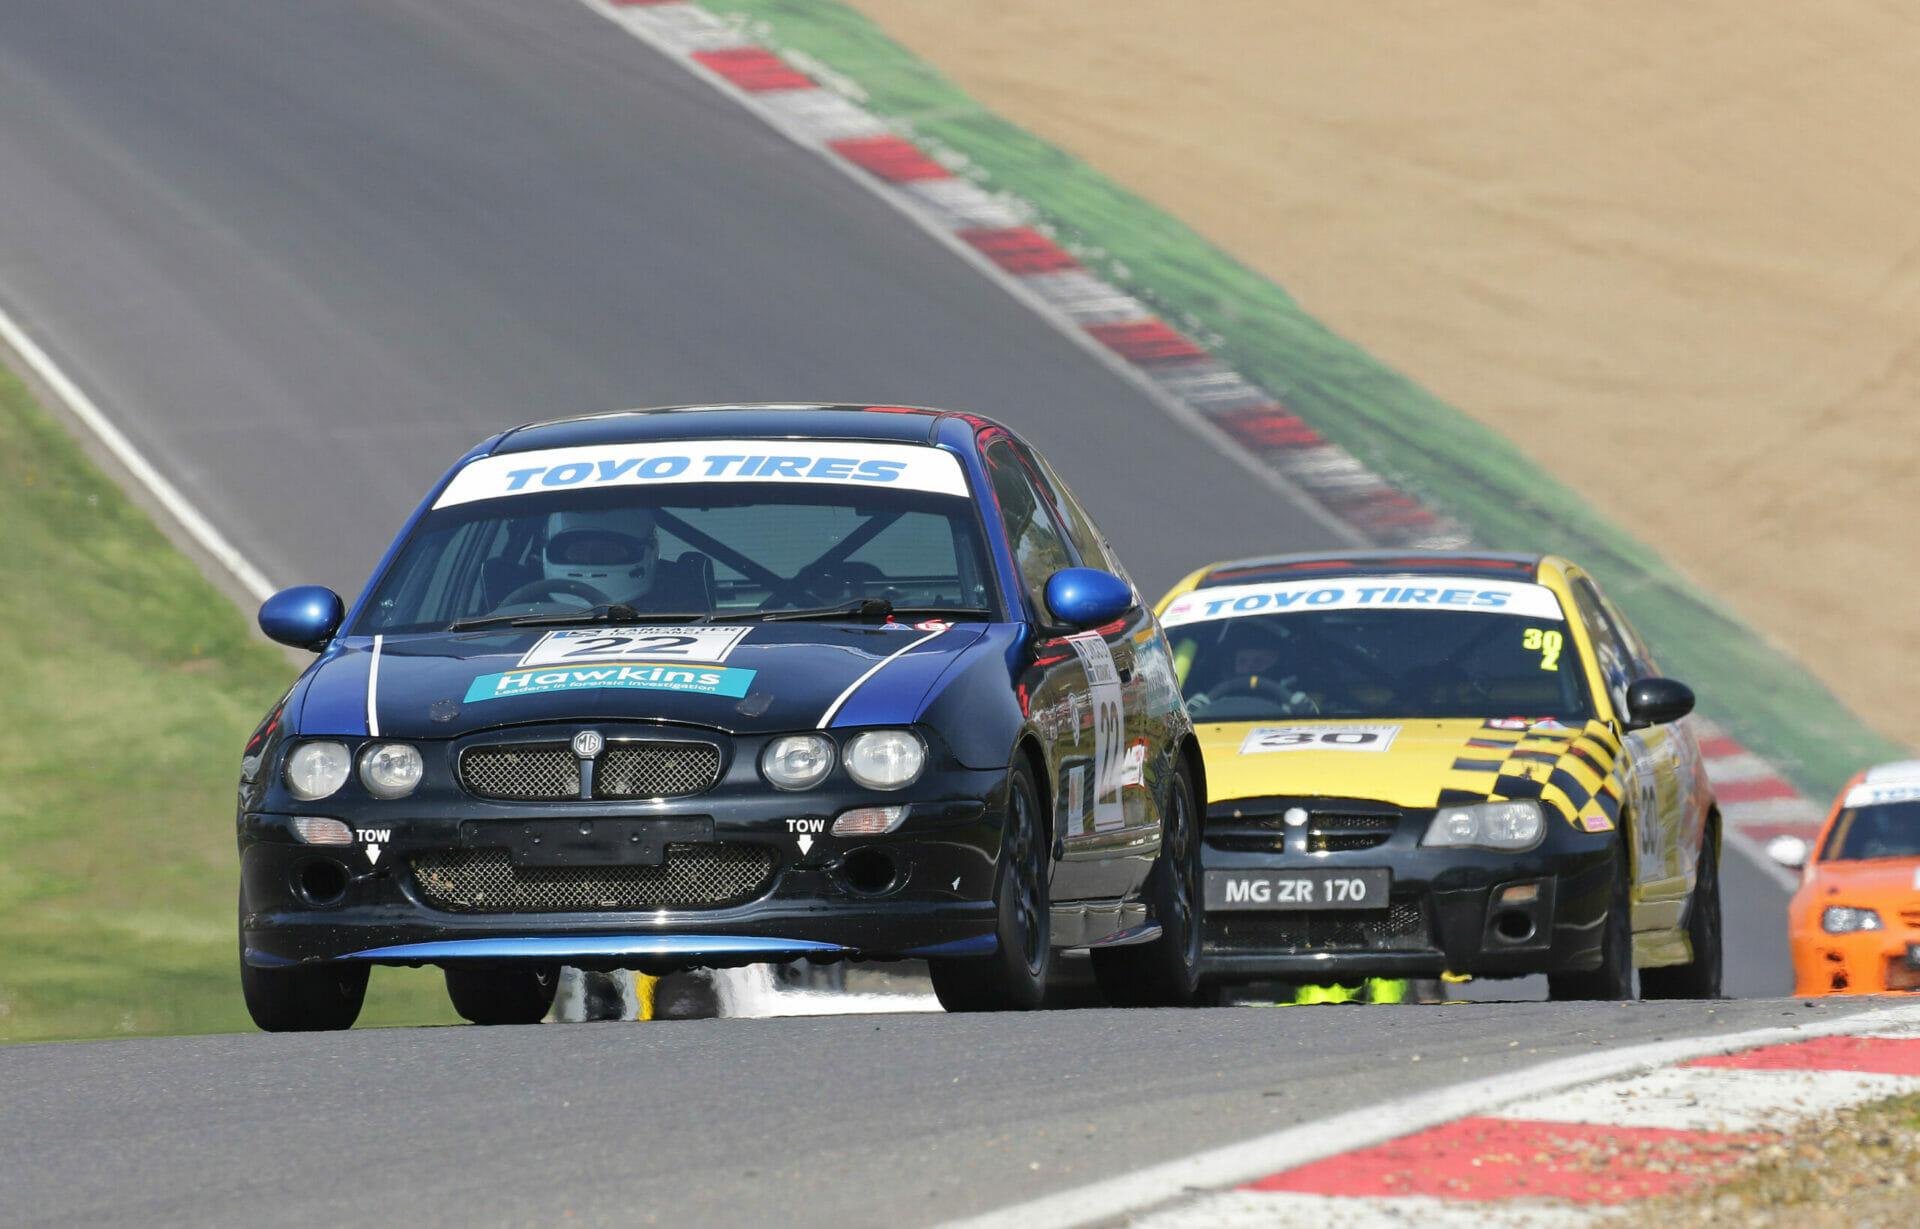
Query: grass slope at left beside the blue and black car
<point x="130" y="685"/>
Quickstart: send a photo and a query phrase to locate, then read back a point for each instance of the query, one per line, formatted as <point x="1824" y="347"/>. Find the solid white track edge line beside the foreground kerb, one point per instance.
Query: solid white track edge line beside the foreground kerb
<point x="1389" y="1121"/>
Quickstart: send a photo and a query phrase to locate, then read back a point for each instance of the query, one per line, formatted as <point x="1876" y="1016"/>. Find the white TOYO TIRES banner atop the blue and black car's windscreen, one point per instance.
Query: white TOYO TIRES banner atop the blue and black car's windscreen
<point x="775" y="462"/>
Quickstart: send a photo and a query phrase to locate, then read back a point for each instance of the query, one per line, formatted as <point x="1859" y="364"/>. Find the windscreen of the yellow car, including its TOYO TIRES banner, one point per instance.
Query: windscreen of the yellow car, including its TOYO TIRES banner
<point x="1376" y="650"/>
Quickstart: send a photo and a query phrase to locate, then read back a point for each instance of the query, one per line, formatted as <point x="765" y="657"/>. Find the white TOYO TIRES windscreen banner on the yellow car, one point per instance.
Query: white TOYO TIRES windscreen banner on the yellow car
<point x="1366" y="594"/>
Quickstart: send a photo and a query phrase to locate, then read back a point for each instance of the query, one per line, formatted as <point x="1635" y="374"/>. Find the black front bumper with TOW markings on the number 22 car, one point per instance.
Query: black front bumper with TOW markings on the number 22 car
<point x="433" y="890"/>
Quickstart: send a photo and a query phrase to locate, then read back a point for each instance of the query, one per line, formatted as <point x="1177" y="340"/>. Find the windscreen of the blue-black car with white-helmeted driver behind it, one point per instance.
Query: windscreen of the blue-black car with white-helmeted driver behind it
<point x="510" y="542"/>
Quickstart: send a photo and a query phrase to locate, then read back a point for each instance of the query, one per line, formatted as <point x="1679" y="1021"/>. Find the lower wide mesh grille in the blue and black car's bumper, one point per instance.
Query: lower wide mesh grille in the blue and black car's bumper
<point x="694" y="877"/>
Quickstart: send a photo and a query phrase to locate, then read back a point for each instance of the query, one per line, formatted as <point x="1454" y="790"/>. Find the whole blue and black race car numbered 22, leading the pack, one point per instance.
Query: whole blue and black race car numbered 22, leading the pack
<point x="717" y="687"/>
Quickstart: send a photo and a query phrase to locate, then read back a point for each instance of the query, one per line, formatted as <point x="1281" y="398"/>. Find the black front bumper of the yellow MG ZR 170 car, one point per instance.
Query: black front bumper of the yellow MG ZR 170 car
<point x="1451" y="911"/>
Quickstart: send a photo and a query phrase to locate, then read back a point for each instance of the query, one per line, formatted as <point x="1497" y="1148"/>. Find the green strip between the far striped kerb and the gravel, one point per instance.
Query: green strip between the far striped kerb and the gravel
<point x="1422" y="445"/>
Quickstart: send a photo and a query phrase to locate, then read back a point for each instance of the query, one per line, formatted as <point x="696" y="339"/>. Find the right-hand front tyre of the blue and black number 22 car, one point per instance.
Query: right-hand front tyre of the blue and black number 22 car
<point x="1013" y="978"/>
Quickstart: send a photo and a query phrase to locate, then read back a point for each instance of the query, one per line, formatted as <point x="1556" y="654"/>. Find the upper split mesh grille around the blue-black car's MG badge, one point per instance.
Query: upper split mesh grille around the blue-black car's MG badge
<point x="631" y="769"/>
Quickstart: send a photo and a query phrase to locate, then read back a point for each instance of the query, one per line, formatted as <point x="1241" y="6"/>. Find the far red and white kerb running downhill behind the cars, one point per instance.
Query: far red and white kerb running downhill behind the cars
<point x="997" y="233"/>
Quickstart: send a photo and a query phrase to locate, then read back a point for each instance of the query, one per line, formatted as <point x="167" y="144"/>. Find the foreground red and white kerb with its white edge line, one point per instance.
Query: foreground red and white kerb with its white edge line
<point x="1564" y="1144"/>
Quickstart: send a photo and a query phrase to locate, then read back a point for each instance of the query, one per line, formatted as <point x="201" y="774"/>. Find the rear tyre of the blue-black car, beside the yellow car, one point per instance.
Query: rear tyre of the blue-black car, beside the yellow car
<point x="1164" y="973"/>
